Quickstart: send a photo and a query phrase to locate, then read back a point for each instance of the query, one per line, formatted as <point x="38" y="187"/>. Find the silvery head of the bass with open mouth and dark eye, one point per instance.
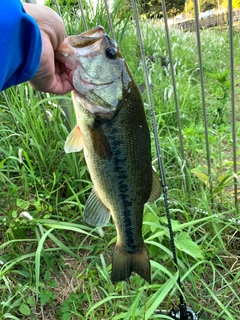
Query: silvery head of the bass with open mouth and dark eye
<point x="97" y="69"/>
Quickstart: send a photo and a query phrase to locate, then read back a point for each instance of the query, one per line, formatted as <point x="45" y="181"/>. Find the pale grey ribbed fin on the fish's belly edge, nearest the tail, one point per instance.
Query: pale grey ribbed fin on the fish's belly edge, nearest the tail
<point x="95" y="213"/>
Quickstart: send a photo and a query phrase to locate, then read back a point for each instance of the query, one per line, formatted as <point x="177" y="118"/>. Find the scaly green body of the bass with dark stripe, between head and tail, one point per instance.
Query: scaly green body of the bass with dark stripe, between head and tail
<point x="124" y="182"/>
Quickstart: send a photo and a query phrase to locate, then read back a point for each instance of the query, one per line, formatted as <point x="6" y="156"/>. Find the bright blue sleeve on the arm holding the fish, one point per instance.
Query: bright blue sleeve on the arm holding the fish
<point x="20" y="44"/>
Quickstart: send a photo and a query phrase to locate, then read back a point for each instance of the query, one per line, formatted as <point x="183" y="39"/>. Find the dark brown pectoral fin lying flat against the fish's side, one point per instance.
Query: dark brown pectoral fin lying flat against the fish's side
<point x="100" y="142"/>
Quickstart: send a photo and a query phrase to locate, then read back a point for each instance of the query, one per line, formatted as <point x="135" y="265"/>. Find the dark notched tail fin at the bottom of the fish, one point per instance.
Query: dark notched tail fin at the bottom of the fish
<point x="123" y="263"/>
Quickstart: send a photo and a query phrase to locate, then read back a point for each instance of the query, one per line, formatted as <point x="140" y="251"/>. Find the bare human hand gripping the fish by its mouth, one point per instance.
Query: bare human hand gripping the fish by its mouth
<point x="52" y="76"/>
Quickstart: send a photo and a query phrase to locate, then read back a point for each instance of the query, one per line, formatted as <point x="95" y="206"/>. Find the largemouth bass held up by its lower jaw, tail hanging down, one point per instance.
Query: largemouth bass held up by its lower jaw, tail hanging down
<point x="112" y="130"/>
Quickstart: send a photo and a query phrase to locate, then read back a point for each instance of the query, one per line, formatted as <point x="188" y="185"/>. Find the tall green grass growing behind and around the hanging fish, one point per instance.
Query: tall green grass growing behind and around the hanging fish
<point x="53" y="266"/>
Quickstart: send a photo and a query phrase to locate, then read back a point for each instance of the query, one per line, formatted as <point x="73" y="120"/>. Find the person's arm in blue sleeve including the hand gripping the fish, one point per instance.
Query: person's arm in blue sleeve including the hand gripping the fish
<point x="28" y="42"/>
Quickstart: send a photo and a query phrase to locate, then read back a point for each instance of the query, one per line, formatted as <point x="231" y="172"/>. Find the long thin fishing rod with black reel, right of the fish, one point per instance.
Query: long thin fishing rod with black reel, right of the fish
<point x="183" y="313"/>
